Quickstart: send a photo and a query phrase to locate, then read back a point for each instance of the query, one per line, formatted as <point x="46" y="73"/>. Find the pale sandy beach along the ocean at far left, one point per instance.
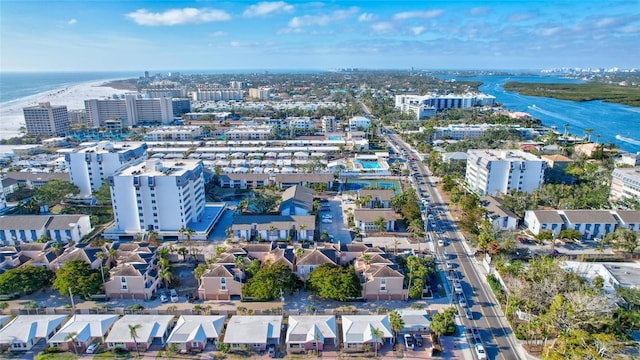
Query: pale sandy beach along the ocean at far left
<point x="11" y="117"/>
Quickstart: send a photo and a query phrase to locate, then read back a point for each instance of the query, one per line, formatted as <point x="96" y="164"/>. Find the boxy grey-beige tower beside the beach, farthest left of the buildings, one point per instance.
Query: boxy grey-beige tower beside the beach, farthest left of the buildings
<point x="47" y="119"/>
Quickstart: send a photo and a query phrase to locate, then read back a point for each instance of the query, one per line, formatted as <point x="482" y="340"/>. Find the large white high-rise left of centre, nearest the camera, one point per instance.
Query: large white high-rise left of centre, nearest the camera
<point x="158" y="195"/>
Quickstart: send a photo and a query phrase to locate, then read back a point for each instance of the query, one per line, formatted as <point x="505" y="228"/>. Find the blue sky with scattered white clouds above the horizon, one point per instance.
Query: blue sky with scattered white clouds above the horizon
<point x="66" y="35"/>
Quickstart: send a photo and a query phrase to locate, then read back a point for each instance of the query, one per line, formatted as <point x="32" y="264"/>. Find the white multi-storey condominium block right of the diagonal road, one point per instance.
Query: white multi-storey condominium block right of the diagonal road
<point x="498" y="171"/>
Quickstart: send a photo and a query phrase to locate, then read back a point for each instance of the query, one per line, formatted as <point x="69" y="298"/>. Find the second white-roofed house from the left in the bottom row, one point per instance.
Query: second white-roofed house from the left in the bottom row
<point x="83" y="329"/>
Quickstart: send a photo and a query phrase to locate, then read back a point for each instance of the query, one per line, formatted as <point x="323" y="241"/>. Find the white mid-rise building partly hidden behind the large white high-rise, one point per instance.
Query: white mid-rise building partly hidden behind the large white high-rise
<point x="91" y="165"/>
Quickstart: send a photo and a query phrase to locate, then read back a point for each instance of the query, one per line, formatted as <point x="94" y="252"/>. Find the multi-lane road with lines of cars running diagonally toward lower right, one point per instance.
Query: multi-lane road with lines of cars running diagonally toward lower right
<point x="487" y="316"/>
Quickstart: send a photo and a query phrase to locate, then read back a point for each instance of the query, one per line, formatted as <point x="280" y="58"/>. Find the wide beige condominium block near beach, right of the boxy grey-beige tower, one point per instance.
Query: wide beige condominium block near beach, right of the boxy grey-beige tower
<point x="132" y="108"/>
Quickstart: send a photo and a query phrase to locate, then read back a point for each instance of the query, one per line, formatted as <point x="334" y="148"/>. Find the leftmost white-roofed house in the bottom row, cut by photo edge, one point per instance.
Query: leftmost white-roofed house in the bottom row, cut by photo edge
<point x="23" y="332"/>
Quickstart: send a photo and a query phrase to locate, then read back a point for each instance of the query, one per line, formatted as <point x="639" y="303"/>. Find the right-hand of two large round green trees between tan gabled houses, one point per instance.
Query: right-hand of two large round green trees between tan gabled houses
<point x="335" y="282"/>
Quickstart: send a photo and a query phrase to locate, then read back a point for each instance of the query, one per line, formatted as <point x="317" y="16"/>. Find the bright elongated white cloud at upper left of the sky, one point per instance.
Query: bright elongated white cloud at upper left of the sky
<point x="177" y="16"/>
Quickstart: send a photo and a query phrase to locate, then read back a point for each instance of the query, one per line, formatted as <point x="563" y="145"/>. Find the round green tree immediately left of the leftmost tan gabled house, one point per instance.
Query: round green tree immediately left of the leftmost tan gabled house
<point x="78" y="276"/>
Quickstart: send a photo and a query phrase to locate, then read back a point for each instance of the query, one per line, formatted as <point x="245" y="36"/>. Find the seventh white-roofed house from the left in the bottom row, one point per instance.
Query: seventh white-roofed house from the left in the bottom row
<point x="357" y="331"/>
